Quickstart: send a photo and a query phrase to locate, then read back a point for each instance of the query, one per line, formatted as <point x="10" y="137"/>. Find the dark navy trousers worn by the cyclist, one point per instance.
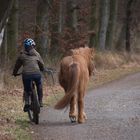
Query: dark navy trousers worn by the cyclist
<point x="27" y="81"/>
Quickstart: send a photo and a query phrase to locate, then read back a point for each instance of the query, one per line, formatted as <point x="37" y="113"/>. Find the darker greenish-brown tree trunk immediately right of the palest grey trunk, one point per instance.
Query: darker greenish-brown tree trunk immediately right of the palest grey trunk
<point x="112" y="24"/>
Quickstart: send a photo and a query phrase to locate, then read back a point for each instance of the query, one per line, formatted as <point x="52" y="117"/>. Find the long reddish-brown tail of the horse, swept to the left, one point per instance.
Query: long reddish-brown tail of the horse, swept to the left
<point x="72" y="87"/>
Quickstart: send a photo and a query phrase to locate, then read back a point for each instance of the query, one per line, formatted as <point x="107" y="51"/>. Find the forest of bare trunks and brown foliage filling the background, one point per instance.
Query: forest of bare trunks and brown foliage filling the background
<point x="59" y="25"/>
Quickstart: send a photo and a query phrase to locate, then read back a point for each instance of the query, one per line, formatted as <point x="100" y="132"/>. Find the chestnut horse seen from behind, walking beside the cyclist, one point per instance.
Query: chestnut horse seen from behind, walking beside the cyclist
<point x="74" y="74"/>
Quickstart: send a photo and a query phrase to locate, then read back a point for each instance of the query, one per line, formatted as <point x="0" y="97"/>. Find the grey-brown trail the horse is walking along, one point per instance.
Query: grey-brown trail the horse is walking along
<point x="113" y="112"/>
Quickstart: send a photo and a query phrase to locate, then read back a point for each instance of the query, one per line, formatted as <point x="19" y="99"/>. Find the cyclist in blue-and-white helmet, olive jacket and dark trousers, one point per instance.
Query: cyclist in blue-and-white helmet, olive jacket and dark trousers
<point x="32" y="64"/>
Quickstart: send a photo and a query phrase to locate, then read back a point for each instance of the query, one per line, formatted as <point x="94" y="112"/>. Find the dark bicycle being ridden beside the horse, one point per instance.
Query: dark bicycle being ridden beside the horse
<point x="34" y="106"/>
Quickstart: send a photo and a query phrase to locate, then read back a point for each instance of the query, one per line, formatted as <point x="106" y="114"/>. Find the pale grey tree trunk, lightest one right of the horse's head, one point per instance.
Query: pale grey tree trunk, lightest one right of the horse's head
<point x="105" y="4"/>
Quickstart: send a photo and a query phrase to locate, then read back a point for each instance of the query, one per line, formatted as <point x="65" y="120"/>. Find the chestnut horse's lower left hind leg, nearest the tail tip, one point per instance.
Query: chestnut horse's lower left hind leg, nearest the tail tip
<point x="73" y="113"/>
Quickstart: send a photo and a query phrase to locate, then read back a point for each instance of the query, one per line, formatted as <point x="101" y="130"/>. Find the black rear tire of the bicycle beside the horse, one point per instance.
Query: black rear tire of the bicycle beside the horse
<point x="36" y="107"/>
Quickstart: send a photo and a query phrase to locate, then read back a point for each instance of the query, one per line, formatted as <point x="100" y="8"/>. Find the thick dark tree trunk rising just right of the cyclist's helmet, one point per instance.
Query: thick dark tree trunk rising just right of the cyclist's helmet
<point x="42" y="29"/>
